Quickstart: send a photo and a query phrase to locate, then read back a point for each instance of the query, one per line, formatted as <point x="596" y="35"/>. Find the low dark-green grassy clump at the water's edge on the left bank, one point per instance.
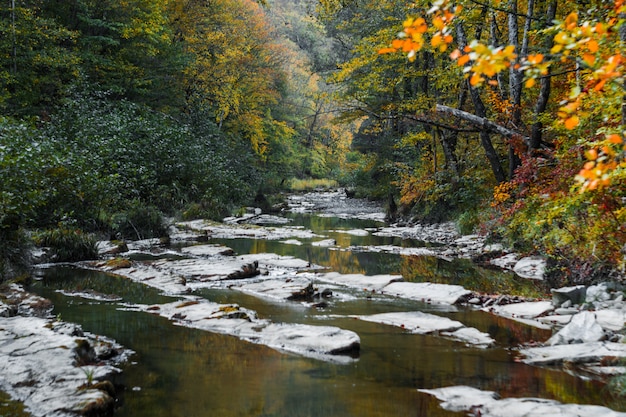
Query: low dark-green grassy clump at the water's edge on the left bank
<point x="68" y="244"/>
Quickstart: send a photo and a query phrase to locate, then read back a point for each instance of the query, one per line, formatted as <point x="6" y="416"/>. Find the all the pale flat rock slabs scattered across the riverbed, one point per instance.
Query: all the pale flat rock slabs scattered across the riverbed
<point x="587" y="323"/>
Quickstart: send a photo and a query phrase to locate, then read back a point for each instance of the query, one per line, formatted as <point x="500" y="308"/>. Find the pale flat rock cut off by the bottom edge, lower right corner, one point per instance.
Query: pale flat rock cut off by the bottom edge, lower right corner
<point x="486" y="403"/>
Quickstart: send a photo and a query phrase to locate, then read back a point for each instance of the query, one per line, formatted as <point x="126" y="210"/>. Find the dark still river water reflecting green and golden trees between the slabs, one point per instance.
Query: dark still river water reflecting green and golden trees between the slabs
<point x="178" y="371"/>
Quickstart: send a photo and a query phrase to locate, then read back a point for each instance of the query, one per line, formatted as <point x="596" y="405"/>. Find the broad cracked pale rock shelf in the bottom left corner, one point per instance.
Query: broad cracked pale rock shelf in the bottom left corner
<point x="38" y="367"/>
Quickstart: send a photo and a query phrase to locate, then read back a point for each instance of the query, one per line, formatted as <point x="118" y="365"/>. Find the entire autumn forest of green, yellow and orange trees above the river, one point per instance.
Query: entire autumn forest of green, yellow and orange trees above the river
<point x="505" y="116"/>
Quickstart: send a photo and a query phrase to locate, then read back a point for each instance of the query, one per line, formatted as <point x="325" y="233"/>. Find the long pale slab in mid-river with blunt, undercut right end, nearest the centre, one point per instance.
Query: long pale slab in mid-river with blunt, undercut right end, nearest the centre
<point x="321" y="342"/>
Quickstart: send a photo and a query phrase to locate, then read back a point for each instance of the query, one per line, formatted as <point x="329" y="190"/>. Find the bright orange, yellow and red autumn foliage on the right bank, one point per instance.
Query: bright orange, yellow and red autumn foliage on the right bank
<point x="566" y="197"/>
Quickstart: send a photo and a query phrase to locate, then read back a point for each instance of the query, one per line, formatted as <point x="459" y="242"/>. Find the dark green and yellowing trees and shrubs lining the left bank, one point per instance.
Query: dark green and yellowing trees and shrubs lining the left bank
<point x="185" y="107"/>
